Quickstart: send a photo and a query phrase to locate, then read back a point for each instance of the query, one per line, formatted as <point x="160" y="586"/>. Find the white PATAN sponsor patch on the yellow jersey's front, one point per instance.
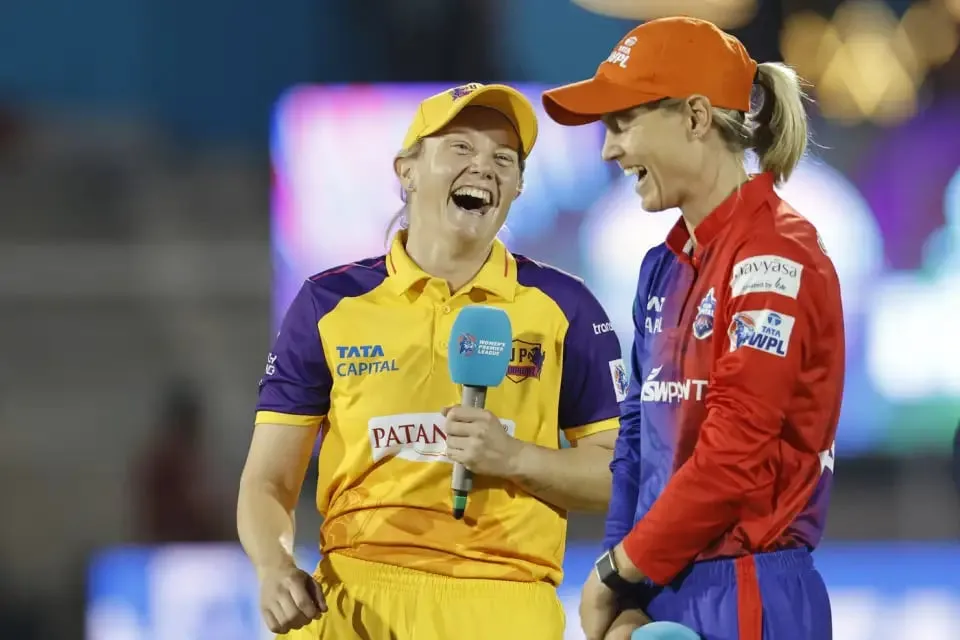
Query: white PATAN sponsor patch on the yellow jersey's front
<point x="414" y="436"/>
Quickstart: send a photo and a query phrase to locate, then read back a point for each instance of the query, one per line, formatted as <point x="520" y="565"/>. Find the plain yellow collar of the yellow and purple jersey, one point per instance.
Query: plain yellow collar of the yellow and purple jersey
<point x="498" y="274"/>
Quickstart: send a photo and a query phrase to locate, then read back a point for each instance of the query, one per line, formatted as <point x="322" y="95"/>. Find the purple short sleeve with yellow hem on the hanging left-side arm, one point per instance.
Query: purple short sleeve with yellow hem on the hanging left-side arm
<point x="295" y="388"/>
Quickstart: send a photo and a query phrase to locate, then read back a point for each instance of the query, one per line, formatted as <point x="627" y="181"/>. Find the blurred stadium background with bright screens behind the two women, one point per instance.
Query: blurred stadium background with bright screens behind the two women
<point x="146" y="146"/>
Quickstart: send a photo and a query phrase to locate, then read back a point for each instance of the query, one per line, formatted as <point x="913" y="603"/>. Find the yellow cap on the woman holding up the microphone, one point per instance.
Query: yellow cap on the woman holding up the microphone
<point x="437" y="111"/>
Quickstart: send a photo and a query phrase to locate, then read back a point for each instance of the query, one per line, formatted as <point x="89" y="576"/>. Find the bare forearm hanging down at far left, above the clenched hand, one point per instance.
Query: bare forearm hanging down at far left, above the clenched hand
<point x="266" y="527"/>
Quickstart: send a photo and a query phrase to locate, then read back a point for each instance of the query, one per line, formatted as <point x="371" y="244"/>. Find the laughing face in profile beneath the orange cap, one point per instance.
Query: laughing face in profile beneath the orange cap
<point x="664" y="147"/>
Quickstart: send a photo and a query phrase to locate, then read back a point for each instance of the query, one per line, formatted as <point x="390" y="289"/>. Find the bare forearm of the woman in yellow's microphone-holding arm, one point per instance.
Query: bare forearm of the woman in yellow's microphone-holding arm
<point x="574" y="479"/>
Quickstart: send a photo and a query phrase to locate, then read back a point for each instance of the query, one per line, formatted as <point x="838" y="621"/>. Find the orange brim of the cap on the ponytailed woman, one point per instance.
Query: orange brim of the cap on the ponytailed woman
<point x="587" y="101"/>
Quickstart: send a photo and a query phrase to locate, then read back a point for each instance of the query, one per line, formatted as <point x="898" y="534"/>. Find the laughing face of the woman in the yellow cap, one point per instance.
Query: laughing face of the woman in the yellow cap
<point x="465" y="178"/>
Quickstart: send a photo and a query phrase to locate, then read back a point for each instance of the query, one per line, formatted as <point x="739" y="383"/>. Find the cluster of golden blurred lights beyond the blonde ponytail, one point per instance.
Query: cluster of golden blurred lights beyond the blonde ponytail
<point x="865" y="62"/>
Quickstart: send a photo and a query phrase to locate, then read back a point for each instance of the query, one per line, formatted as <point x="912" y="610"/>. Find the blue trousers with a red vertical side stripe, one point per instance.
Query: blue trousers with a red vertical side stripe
<point x="769" y="596"/>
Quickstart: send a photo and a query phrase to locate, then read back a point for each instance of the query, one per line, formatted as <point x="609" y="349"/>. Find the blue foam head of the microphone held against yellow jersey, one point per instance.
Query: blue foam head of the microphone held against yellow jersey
<point x="479" y="346"/>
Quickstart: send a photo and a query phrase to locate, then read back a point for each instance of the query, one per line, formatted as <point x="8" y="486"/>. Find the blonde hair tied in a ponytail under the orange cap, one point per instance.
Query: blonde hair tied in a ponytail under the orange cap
<point x="777" y="132"/>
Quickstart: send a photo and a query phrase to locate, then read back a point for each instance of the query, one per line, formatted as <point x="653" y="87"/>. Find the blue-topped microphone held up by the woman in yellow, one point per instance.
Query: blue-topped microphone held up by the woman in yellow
<point x="478" y="354"/>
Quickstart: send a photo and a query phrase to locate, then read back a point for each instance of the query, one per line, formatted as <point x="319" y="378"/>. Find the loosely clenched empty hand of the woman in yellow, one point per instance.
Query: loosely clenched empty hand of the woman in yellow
<point x="289" y="599"/>
